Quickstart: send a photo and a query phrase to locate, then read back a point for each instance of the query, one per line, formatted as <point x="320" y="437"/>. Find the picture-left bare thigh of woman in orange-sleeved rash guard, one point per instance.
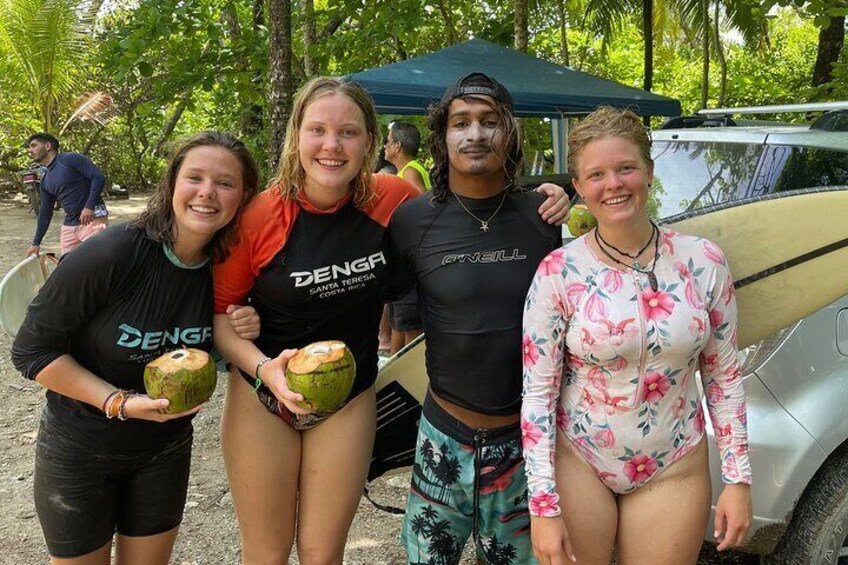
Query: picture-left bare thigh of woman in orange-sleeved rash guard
<point x="262" y="458"/>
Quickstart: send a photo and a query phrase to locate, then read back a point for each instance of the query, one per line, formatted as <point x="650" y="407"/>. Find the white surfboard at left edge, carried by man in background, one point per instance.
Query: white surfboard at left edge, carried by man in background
<point x="19" y="287"/>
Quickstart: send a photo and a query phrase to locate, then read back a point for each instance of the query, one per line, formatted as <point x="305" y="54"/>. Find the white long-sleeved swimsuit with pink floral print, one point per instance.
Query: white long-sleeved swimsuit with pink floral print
<point x="613" y="365"/>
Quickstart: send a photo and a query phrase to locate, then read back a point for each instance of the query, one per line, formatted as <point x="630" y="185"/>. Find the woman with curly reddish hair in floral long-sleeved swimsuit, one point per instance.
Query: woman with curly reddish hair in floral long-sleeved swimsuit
<point x="617" y="323"/>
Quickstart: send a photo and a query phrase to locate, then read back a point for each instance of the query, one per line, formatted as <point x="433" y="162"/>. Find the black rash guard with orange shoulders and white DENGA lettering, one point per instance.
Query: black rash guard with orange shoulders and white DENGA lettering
<point x="314" y="275"/>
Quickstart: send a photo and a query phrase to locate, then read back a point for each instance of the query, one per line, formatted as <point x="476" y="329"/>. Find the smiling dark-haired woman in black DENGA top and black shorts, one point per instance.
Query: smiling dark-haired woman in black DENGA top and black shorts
<point x="126" y="297"/>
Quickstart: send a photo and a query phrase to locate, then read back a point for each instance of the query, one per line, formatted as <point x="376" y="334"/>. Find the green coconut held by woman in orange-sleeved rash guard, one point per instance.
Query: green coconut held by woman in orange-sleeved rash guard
<point x="323" y="372"/>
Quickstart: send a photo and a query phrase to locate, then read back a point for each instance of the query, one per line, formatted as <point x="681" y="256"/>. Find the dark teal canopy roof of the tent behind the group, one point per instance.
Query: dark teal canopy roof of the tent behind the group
<point x="538" y="88"/>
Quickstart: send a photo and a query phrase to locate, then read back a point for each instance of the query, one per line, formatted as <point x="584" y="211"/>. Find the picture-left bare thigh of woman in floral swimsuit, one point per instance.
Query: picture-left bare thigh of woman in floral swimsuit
<point x="588" y="506"/>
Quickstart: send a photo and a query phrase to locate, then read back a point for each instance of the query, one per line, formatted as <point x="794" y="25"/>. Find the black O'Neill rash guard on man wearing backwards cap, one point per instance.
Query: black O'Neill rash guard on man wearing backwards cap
<point x="472" y="286"/>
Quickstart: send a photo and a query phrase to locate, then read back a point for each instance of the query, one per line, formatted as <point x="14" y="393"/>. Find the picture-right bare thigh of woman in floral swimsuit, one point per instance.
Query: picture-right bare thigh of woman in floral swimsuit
<point x="665" y="520"/>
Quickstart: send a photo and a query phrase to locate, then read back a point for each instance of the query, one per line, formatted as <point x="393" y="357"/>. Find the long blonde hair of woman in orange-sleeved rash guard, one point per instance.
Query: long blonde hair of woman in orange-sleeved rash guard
<point x="291" y="177"/>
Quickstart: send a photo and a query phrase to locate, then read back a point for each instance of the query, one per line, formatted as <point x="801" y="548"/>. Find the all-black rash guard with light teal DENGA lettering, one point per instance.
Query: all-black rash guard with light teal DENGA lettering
<point x="116" y="303"/>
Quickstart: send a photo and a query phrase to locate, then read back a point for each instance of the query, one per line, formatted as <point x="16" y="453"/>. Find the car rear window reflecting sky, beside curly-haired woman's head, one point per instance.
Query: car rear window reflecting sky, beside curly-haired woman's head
<point x="694" y="174"/>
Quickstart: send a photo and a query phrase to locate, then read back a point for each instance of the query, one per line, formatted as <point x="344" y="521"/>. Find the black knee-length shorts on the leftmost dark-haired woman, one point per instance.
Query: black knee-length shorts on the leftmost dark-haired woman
<point x="83" y="495"/>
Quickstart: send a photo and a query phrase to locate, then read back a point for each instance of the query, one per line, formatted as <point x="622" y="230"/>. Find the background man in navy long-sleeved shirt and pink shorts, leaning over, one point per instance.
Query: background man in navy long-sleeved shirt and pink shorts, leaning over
<point x="77" y="183"/>
